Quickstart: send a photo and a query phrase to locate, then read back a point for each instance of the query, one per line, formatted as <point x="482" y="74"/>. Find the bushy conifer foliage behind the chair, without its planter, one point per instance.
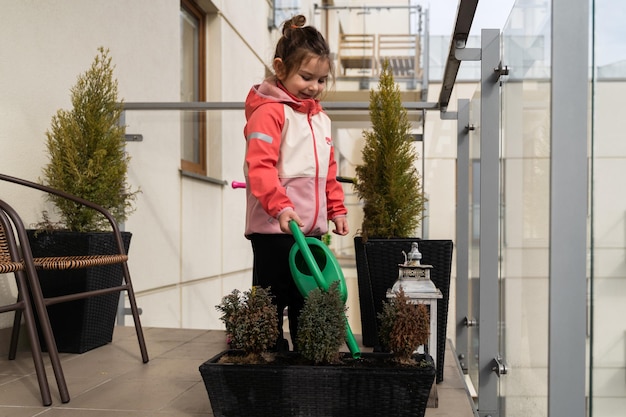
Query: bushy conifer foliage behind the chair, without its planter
<point x="86" y="151"/>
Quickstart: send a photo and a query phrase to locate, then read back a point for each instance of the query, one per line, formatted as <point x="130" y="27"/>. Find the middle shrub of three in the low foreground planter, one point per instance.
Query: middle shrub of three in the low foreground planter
<point x="322" y="325"/>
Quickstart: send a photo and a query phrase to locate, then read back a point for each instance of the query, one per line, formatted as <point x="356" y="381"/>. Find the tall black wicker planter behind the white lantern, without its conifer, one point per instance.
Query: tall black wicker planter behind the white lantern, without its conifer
<point x="377" y="269"/>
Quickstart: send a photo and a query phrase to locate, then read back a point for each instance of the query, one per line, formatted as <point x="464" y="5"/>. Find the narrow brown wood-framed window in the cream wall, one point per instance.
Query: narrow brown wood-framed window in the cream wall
<point x="192" y="87"/>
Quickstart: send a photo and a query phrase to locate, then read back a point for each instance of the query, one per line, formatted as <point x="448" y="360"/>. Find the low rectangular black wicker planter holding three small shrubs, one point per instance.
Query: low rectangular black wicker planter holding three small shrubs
<point x="367" y="387"/>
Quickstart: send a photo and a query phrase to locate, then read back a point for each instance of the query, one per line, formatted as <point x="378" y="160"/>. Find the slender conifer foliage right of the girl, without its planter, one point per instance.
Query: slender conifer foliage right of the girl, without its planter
<point x="387" y="182"/>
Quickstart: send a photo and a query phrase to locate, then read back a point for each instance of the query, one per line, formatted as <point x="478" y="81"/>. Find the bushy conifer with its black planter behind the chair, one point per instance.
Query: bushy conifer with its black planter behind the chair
<point x="87" y="158"/>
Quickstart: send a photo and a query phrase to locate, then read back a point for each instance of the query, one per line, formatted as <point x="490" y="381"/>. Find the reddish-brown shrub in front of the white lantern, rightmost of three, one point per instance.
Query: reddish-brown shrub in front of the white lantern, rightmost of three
<point x="404" y="326"/>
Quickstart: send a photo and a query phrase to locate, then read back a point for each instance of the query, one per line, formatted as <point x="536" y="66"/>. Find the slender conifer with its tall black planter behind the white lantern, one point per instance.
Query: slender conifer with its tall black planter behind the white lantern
<point x="389" y="185"/>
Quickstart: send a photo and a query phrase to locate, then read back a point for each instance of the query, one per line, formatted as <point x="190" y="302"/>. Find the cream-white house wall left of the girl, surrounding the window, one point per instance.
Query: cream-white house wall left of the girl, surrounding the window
<point x="185" y="252"/>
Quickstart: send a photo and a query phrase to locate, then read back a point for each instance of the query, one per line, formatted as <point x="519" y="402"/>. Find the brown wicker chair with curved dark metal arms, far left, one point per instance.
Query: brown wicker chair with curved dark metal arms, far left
<point x="31" y="265"/>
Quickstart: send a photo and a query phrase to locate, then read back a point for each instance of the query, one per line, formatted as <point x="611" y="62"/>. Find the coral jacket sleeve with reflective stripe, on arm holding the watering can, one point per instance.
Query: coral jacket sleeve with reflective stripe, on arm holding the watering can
<point x="263" y="136"/>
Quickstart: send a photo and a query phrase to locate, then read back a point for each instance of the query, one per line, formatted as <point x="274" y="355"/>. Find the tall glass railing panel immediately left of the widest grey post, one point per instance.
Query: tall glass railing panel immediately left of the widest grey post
<point x="524" y="211"/>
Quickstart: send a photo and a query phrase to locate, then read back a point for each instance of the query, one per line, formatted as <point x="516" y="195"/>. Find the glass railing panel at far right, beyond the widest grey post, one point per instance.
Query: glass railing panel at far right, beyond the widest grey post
<point x="607" y="379"/>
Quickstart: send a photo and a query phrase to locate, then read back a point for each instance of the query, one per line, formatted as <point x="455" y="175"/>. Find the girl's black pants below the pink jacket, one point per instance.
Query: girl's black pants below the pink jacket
<point x="271" y="269"/>
